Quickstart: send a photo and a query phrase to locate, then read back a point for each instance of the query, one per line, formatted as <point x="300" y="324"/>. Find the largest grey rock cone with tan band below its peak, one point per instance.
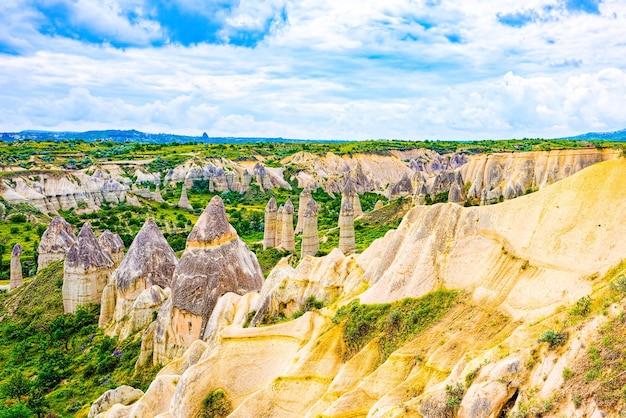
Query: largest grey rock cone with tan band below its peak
<point x="215" y="261"/>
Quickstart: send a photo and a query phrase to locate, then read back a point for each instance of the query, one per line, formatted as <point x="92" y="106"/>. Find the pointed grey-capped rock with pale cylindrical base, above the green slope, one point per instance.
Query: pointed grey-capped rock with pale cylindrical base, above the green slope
<point x="86" y="271"/>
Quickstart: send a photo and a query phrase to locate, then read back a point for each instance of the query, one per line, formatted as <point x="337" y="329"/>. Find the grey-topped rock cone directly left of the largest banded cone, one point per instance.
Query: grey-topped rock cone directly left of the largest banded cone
<point x="150" y="261"/>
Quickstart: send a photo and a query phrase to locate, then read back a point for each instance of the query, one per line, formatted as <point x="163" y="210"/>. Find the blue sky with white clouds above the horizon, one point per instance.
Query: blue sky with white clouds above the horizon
<point x="323" y="69"/>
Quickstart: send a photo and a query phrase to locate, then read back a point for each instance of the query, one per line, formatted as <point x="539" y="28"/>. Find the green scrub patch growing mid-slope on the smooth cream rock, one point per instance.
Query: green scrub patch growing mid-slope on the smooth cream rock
<point x="392" y="324"/>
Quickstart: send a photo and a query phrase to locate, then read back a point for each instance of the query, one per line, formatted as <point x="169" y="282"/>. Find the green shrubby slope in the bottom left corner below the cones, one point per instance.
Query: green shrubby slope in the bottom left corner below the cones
<point x="53" y="362"/>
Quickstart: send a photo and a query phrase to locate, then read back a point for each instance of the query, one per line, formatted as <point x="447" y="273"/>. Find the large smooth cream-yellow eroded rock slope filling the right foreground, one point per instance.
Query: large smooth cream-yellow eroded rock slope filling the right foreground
<point x="516" y="263"/>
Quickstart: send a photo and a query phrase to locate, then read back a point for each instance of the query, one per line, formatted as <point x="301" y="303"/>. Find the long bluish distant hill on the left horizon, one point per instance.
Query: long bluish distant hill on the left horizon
<point x="128" y="136"/>
